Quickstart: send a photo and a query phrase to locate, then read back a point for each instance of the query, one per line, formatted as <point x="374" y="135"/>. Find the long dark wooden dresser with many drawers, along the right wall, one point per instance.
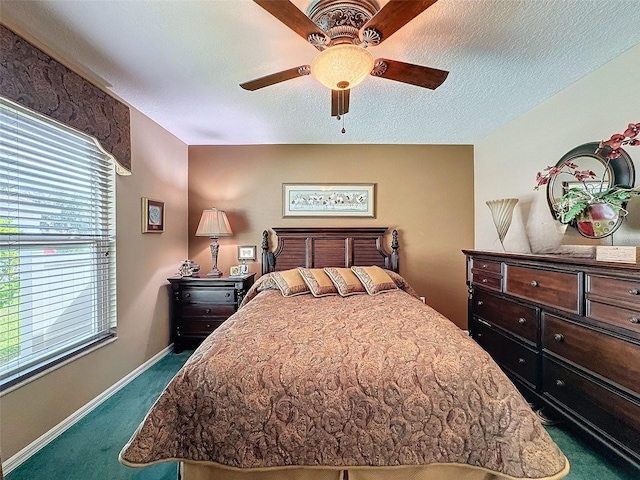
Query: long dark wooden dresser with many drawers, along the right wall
<point x="567" y="332"/>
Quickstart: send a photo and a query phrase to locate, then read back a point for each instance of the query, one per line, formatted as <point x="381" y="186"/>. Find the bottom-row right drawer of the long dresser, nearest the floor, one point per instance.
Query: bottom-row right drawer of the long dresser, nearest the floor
<point x="618" y="416"/>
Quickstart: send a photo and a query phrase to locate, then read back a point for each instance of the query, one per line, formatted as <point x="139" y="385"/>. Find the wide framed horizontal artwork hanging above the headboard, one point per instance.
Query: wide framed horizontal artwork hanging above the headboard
<point x="328" y="200"/>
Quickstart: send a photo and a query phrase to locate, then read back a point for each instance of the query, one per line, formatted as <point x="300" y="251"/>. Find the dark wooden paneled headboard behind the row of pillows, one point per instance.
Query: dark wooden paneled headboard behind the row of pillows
<point x="328" y="247"/>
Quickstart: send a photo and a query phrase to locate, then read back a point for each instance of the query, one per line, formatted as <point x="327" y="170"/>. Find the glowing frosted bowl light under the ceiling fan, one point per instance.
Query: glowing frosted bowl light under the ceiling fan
<point x="342" y="66"/>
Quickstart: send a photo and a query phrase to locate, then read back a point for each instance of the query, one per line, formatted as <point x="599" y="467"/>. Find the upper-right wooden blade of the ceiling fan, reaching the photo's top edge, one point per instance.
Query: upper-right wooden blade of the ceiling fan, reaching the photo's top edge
<point x="393" y="16"/>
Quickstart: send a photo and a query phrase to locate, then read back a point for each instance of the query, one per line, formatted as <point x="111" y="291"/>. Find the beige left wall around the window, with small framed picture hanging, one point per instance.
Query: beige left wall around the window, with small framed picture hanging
<point x="143" y="264"/>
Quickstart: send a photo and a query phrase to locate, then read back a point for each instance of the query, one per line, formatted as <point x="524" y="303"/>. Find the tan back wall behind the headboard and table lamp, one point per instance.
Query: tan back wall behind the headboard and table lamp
<point x="425" y="191"/>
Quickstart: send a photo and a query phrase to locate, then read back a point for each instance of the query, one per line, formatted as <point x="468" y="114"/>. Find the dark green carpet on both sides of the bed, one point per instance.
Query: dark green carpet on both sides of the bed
<point x="89" y="450"/>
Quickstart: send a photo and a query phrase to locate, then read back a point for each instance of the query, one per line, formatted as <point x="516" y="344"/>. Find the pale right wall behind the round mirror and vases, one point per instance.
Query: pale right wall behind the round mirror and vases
<point x="506" y="162"/>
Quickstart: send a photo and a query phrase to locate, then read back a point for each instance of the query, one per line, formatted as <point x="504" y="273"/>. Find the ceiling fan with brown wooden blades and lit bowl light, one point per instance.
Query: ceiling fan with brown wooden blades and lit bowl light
<point x="342" y="30"/>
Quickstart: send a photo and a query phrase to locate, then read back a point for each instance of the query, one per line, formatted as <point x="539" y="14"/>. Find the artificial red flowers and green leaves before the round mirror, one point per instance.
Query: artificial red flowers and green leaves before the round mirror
<point x="576" y="200"/>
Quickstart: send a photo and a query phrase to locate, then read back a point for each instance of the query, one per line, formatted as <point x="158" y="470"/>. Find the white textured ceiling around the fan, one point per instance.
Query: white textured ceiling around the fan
<point x="180" y="63"/>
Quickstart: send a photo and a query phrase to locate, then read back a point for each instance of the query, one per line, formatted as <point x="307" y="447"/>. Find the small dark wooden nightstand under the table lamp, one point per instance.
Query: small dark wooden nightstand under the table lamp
<point x="199" y="305"/>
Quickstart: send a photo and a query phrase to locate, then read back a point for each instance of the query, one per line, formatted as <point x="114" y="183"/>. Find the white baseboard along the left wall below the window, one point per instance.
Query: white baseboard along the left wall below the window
<point x="23" y="455"/>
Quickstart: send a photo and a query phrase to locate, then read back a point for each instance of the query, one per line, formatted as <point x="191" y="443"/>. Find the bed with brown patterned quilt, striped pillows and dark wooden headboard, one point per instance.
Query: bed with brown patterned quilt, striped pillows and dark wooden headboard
<point x="348" y="384"/>
